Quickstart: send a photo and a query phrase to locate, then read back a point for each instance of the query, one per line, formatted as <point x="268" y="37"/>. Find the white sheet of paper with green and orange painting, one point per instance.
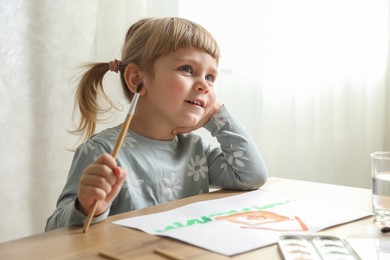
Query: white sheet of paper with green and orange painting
<point x="220" y="226"/>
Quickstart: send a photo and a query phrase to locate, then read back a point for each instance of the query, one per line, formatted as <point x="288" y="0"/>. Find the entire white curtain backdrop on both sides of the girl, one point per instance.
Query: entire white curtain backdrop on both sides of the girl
<point x="309" y="79"/>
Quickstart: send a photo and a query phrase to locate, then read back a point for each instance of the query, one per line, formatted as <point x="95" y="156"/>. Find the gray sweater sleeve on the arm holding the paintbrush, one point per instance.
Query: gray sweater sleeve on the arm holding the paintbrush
<point x="66" y="213"/>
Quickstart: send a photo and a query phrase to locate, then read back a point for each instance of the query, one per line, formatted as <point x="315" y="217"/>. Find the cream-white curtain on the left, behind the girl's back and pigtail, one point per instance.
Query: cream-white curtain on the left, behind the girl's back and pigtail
<point x="42" y="44"/>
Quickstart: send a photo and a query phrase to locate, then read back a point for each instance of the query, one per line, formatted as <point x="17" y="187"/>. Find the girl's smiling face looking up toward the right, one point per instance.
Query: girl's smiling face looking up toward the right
<point x="180" y="91"/>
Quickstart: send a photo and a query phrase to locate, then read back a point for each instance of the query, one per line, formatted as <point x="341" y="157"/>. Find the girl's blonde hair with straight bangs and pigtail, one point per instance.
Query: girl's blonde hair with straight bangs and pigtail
<point x="145" y="41"/>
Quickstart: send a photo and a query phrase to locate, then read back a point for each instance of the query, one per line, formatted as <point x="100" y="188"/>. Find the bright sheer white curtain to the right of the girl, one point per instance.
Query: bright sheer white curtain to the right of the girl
<point x="309" y="78"/>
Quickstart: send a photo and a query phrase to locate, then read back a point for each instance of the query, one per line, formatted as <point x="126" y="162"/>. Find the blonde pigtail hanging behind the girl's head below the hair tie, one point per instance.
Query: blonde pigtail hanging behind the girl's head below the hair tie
<point x="88" y="99"/>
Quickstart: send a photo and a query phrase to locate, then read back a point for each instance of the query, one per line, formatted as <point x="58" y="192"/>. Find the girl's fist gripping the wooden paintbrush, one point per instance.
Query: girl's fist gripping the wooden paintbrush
<point x="101" y="180"/>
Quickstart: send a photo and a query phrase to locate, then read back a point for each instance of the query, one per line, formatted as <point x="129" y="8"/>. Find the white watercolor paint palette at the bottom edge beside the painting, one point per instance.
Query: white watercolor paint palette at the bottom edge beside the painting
<point x="315" y="247"/>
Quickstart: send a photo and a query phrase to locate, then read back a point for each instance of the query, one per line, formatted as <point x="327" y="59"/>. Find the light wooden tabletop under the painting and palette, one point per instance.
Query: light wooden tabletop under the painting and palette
<point x="71" y="243"/>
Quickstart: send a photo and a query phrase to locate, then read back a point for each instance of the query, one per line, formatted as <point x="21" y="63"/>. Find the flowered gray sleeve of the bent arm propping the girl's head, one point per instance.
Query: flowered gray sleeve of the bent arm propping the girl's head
<point x="237" y="163"/>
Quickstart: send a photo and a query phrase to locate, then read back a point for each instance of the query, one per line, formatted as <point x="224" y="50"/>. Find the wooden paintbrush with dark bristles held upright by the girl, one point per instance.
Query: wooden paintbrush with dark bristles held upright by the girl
<point x="121" y="137"/>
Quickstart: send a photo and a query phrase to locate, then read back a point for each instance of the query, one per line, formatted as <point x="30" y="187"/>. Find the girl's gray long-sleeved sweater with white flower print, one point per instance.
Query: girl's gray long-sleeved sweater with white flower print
<point x="162" y="171"/>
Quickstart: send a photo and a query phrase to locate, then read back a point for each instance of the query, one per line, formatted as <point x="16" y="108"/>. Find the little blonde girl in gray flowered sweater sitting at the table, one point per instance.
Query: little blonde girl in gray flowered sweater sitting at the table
<point x="160" y="159"/>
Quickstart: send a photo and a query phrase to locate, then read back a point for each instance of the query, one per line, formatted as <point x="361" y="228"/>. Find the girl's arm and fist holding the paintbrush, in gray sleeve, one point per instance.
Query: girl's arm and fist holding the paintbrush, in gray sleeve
<point x="85" y="167"/>
